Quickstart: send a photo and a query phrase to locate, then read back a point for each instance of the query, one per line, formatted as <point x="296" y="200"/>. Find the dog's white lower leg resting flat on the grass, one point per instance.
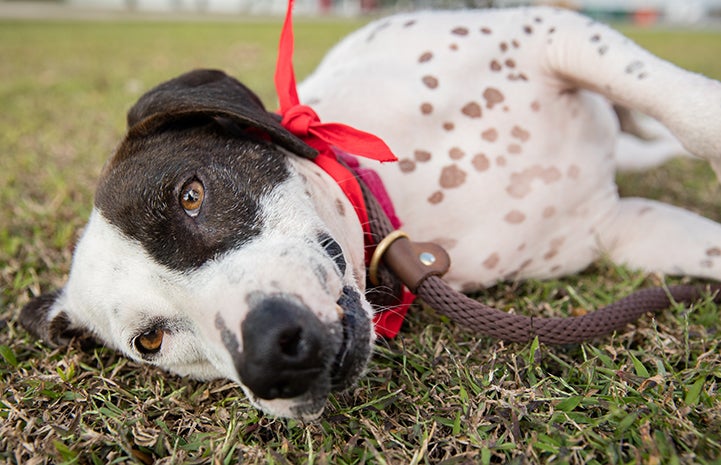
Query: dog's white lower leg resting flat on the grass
<point x="656" y="237"/>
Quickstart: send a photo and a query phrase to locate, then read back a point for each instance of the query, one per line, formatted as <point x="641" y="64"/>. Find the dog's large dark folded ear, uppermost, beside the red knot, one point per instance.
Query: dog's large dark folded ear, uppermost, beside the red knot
<point x="210" y="93"/>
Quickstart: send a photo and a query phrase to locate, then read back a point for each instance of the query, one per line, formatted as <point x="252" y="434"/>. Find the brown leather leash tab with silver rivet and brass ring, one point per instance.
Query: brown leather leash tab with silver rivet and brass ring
<point x="411" y="262"/>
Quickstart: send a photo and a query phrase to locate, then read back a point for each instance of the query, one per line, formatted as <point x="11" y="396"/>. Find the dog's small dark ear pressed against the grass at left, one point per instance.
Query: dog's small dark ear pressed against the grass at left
<point x="41" y="319"/>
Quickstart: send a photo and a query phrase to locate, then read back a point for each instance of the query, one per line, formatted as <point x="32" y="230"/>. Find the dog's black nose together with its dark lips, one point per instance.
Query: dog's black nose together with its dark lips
<point x="289" y="353"/>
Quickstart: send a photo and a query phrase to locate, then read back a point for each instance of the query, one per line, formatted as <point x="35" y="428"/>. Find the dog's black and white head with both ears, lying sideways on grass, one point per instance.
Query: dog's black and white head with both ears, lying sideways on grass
<point x="217" y="249"/>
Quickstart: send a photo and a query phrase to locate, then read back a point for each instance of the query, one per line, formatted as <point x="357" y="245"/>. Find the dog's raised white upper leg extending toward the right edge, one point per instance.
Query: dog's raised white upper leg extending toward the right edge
<point x="592" y="56"/>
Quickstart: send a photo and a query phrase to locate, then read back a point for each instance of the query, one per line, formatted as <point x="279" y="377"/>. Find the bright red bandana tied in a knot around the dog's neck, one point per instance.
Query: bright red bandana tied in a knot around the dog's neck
<point x="302" y="121"/>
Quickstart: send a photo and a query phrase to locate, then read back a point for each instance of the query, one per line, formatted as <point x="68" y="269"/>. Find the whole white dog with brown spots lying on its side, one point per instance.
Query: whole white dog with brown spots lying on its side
<point x="217" y="248"/>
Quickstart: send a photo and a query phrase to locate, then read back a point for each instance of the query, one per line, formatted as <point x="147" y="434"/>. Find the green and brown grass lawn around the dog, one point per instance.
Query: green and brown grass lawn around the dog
<point x="436" y="394"/>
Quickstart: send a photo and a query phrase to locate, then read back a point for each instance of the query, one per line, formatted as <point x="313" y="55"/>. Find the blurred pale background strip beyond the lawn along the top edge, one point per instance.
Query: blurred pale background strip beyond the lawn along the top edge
<point x="641" y="12"/>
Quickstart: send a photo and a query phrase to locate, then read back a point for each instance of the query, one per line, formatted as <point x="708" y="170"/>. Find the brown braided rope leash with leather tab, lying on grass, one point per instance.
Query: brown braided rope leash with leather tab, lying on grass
<point x="409" y="262"/>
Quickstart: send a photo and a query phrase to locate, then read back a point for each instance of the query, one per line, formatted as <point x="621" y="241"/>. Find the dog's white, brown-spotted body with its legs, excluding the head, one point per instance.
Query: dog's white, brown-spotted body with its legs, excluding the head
<point x="504" y="158"/>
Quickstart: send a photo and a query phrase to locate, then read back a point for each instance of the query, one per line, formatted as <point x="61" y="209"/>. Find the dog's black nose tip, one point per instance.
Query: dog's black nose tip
<point x="282" y="349"/>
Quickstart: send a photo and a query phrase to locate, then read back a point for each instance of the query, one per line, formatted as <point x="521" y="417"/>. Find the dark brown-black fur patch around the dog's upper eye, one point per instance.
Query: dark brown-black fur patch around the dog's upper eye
<point x="140" y="192"/>
